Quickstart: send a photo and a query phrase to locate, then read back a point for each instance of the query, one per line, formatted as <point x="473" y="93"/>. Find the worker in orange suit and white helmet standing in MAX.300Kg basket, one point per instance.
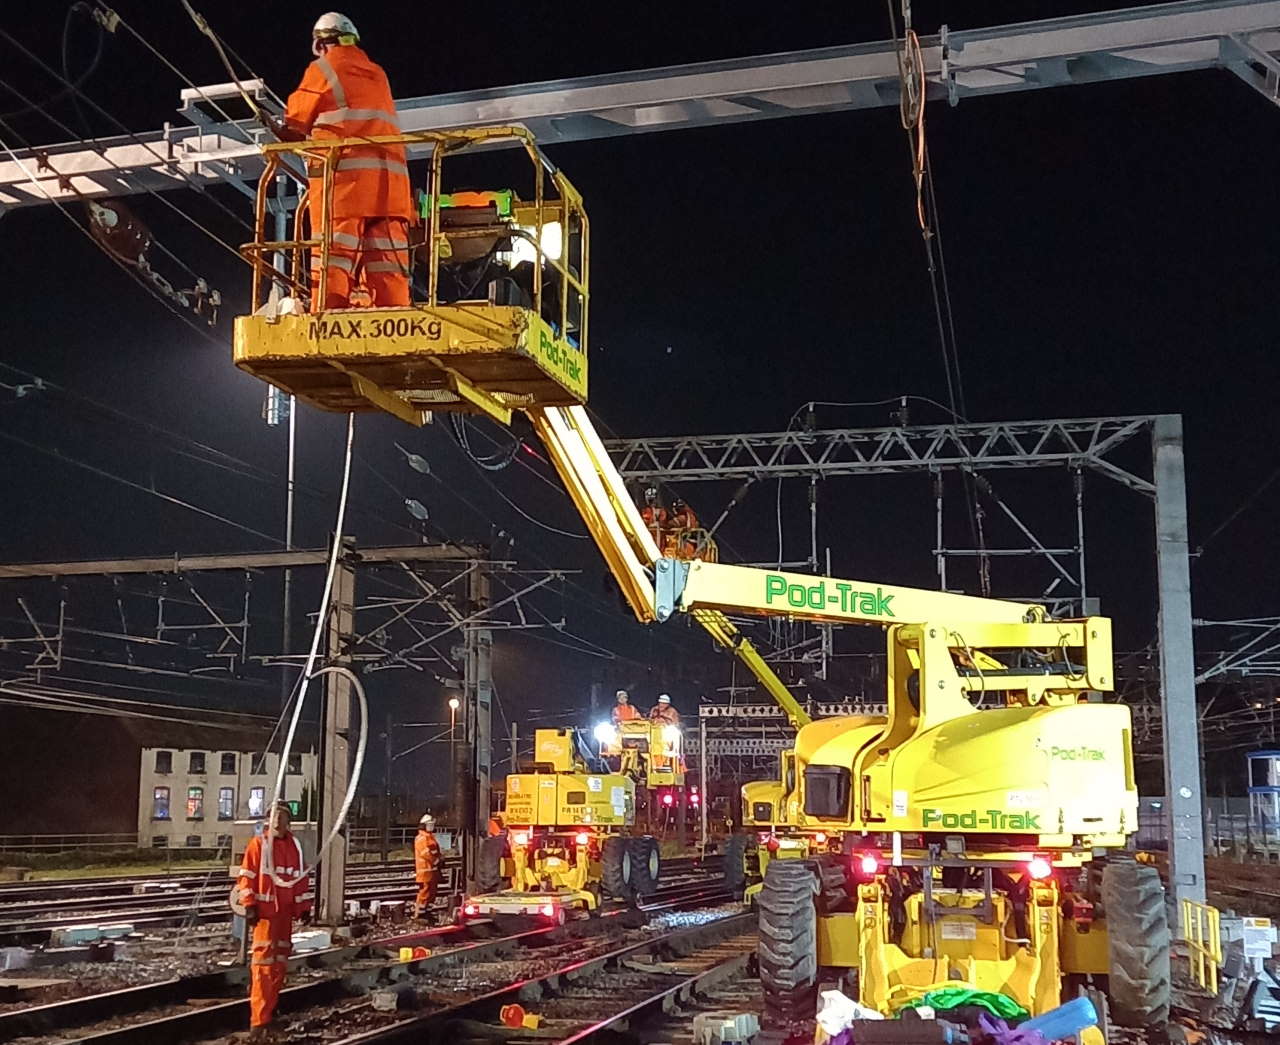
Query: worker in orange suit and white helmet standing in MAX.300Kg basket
<point x="346" y="95"/>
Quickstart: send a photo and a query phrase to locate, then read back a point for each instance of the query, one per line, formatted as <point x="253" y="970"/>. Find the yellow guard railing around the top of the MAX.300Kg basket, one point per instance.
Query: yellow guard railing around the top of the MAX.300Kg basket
<point x="563" y="206"/>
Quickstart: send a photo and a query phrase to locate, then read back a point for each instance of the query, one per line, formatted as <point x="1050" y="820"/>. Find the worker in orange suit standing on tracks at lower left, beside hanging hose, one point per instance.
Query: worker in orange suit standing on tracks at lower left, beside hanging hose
<point x="273" y="897"/>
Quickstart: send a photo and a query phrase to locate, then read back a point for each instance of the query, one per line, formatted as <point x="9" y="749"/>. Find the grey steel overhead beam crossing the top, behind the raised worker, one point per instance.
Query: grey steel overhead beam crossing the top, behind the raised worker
<point x="1242" y="36"/>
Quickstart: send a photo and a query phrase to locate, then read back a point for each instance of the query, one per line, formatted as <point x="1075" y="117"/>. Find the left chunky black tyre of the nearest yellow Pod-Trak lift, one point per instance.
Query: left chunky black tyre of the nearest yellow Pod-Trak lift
<point x="788" y="952"/>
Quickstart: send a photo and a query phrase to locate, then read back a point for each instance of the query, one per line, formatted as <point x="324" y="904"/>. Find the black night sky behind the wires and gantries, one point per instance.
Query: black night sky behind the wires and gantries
<point x="1110" y="250"/>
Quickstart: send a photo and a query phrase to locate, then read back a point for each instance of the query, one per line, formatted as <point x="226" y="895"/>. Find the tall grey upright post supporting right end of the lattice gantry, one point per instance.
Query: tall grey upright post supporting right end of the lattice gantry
<point x="1178" y="665"/>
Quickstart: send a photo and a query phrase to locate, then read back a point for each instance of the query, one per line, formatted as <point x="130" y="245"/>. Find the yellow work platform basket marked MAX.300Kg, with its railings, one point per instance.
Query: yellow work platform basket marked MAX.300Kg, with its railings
<point x="500" y="313"/>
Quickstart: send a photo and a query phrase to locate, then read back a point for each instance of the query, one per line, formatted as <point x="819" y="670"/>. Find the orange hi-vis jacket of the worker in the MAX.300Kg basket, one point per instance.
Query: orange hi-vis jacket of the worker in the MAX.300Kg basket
<point x="346" y="95"/>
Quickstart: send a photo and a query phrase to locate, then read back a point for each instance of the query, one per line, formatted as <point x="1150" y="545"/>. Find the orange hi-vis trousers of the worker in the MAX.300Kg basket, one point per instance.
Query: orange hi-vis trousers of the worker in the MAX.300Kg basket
<point x="371" y="250"/>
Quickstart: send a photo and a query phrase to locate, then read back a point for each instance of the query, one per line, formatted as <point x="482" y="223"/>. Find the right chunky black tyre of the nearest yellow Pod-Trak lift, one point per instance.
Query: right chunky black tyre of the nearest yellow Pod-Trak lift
<point x="1139" y="983"/>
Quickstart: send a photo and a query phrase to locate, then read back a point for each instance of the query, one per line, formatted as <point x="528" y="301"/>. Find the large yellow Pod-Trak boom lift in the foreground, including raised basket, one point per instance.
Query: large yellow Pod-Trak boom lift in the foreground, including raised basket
<point x="976" y="834"/>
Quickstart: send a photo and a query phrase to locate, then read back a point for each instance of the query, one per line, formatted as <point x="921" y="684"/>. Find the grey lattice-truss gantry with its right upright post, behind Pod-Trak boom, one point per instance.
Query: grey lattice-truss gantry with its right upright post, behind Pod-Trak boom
<point x="1094" y="444"/>
